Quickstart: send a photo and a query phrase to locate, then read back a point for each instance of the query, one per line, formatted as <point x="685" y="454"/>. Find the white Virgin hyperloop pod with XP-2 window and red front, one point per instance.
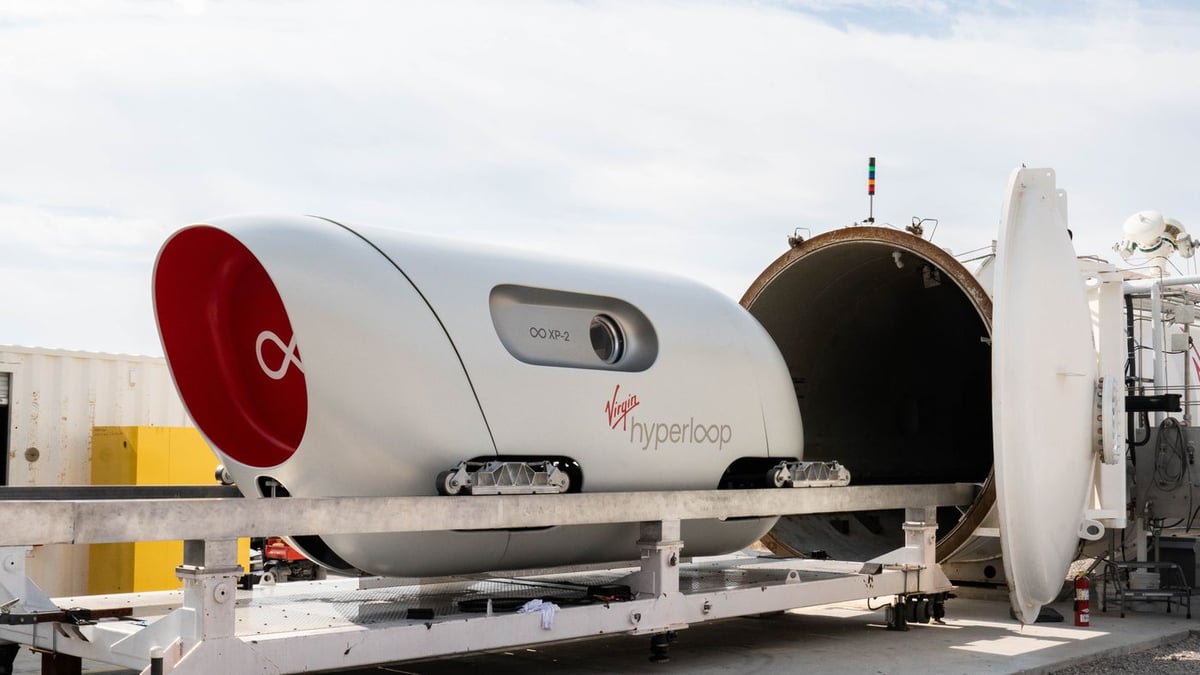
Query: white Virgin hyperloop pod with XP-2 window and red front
<point x="322" y="360"/>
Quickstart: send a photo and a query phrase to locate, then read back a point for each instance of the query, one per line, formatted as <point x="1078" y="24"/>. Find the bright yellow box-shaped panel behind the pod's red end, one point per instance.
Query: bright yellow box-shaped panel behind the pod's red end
<point x="148" y="456"/>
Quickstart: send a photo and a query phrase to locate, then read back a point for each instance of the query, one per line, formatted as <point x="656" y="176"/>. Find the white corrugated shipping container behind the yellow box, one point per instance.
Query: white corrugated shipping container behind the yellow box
<point x="50" y="403"/>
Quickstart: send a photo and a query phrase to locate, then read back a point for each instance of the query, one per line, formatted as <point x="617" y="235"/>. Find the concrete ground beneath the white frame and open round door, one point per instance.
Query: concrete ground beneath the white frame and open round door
<point x="979" y="637"/>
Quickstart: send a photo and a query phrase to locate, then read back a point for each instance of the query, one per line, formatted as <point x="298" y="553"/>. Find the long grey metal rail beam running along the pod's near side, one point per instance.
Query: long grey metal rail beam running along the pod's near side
<point x="97" y="522"/>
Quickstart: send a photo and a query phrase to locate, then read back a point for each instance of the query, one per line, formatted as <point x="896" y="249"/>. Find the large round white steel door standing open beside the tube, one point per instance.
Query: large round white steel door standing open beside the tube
<point x="1045" y="378"/>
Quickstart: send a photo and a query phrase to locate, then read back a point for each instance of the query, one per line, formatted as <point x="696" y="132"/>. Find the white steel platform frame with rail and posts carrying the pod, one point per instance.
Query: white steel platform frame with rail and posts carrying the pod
<point x="211" y="626"/>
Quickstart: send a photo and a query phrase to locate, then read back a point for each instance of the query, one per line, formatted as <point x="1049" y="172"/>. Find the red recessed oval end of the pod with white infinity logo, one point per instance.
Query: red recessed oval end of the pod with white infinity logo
<point x="231" y="347"/>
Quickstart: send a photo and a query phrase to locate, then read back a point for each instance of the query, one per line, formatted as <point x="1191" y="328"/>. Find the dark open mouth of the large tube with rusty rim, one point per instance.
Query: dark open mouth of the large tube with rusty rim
<point x="887" y="341"/>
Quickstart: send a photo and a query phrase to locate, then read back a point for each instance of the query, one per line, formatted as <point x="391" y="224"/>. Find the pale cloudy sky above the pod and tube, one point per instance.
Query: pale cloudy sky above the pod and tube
<point x="688" y="138"/>
